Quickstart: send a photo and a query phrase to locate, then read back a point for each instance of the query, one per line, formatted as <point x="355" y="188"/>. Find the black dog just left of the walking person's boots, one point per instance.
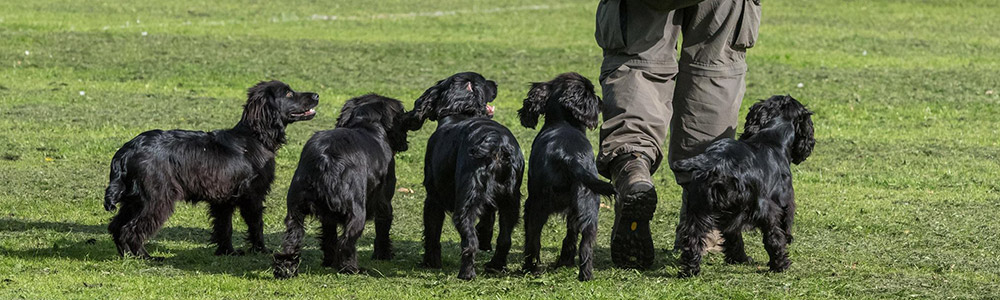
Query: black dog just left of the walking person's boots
<point x="563" y="175"/>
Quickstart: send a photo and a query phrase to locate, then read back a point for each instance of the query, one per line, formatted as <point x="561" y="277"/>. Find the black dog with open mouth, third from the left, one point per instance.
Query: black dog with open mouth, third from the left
<point x="473" y="168"/>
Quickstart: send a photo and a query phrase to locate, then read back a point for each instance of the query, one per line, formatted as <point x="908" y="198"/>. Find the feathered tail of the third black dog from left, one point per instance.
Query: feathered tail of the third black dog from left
<point x="505" y="169"/>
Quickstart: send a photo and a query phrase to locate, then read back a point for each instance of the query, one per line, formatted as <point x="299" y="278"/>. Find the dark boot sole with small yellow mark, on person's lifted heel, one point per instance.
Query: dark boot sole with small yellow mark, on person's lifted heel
<point x="632" y="242"/>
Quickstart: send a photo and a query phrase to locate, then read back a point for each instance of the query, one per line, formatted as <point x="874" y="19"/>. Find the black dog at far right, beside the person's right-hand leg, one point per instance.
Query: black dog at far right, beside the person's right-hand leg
<point x="747" y="183"/>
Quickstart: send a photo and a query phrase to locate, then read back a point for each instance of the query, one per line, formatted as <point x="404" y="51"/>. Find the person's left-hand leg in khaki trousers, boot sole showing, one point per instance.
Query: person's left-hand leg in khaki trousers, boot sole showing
<point x="637" y="78"/>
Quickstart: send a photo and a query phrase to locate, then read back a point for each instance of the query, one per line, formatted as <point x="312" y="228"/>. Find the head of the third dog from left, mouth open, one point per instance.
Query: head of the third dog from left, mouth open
<point x="467" y="94"/>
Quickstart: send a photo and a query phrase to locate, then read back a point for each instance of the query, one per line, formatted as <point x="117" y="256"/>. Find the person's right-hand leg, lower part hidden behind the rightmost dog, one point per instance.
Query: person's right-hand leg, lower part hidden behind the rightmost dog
<point x="711" y="78"/>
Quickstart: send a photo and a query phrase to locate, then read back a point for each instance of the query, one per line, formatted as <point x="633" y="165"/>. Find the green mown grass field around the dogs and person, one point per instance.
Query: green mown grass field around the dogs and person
<point x="899" y="199"/>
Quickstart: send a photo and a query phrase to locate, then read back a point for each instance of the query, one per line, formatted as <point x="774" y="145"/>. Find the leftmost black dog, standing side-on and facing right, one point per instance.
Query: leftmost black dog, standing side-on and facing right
<point x="226" y="168"/>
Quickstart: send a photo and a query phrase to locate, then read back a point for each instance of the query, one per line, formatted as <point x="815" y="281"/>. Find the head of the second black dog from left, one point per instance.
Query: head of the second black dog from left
<point x="375" y="110"/>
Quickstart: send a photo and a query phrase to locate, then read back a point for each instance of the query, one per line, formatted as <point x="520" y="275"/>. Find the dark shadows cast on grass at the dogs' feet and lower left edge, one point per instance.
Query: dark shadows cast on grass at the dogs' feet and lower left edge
<point x="95" y="245"/>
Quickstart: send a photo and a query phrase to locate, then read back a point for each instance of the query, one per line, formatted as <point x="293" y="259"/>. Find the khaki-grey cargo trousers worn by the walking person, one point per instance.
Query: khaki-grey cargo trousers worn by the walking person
<point x="648" y="89"/>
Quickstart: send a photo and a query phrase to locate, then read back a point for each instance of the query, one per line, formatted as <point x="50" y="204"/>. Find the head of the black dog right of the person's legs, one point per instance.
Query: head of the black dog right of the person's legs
<point x="790" y="110"/>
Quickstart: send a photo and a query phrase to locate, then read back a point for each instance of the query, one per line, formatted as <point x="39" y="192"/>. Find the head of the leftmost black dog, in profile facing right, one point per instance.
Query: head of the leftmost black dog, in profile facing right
<point x="276" y="101"/>
